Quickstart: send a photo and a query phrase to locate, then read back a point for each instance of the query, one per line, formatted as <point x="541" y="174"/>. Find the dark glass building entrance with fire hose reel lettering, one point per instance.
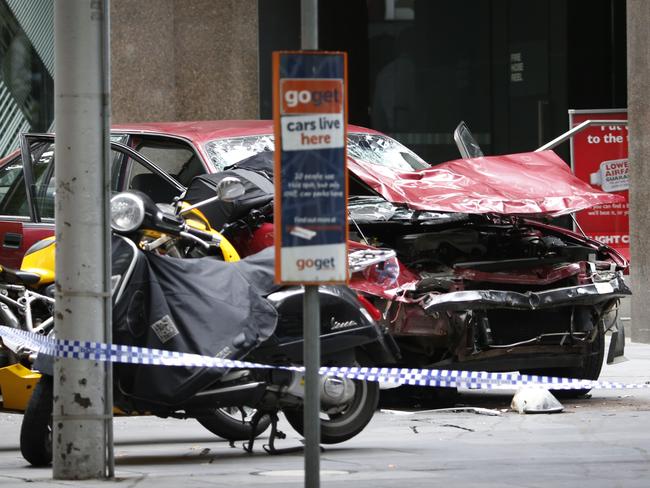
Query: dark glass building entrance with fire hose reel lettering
<point x="510" y="69"/>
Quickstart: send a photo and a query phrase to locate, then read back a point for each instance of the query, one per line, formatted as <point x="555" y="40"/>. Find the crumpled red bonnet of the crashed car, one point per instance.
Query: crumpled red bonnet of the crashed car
<point x="535" y="183"/>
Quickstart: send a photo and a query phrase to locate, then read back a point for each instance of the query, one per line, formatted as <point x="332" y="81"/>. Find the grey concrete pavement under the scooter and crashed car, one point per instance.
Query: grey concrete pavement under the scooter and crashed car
<point x="601" y="441"/>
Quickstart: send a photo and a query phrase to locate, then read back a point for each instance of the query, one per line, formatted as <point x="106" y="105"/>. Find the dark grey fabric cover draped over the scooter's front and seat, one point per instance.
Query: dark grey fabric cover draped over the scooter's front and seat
<point x="201" y="306"/>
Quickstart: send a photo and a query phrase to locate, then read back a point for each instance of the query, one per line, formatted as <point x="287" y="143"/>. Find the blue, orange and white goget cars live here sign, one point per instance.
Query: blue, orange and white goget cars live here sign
<point x="310" y="117"/>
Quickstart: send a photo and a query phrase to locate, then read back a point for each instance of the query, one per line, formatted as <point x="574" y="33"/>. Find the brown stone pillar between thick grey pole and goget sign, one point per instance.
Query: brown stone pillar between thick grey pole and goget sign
<point x="184" y="60"/>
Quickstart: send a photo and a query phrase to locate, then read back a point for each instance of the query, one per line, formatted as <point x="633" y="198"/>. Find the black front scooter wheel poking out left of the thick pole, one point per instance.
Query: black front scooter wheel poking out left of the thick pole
<point x="36" y="429"/>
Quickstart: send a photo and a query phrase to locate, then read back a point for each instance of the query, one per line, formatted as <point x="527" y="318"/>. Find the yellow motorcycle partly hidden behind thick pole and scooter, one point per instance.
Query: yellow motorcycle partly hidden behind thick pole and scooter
<point x="27" y="294"/>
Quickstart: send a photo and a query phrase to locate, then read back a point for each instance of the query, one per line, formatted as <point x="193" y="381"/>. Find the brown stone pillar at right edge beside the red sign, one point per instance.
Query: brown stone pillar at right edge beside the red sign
<point x="638" y="69"/>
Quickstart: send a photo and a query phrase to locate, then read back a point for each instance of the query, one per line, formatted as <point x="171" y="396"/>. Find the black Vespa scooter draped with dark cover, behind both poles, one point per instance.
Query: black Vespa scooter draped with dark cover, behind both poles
<point x="230" y="310"/>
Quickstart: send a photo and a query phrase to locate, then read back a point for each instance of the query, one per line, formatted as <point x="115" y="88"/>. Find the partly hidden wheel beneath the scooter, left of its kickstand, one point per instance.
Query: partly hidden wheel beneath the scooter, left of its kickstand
<point x="233" y="423"/>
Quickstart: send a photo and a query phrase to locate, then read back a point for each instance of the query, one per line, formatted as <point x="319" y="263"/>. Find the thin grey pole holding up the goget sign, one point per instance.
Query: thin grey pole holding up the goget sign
<point x="311" y="306"/>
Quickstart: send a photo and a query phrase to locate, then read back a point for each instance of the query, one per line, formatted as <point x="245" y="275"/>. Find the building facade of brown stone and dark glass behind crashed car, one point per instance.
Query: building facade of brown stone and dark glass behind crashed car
<point x="510" y="69"/>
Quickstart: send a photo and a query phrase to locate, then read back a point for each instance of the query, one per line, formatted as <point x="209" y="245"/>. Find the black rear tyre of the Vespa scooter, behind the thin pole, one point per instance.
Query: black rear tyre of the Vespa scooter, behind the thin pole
<point x="346" y="424"/>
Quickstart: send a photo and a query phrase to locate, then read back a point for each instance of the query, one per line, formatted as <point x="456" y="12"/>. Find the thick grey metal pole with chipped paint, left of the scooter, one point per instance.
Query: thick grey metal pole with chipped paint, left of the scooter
<point x="82" y="418"/>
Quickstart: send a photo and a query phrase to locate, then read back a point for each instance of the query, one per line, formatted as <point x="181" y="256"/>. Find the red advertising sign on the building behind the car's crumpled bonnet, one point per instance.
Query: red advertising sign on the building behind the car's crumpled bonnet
<point x="599" y="157"/>
